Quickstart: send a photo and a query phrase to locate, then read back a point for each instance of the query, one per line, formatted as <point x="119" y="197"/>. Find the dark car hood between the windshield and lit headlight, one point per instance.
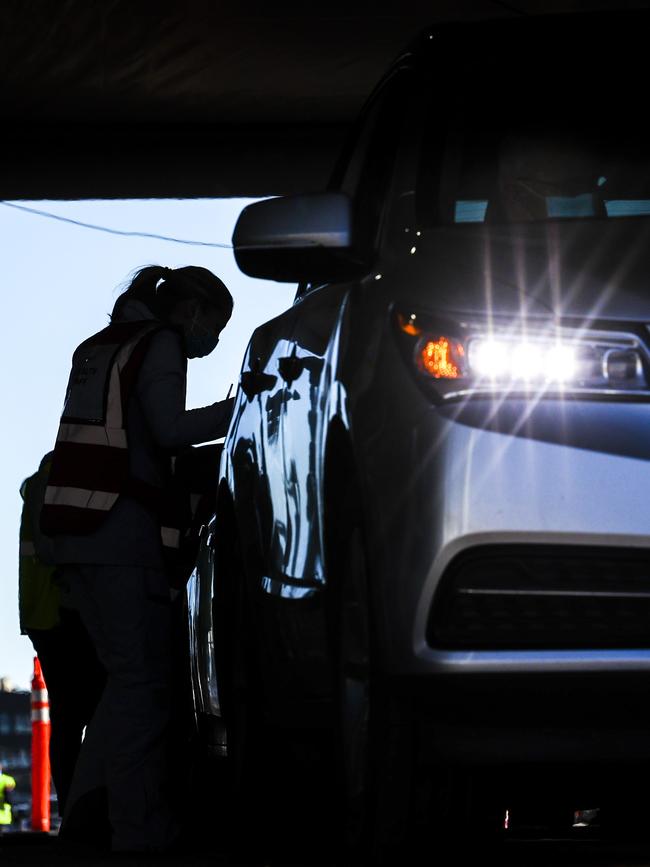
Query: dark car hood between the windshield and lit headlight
<point x="592" y="271"/>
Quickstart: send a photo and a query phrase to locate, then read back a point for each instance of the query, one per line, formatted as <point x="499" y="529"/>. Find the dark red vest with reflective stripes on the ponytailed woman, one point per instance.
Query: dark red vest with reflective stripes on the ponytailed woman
<point x="90" y="466"/>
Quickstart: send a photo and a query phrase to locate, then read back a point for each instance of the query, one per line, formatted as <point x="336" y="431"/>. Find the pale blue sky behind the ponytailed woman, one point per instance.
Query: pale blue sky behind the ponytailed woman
<point x="59" y="282"/>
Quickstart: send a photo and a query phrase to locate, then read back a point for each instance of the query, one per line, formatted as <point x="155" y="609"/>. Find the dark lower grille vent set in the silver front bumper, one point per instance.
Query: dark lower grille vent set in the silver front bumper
<point x="532" y="597"/>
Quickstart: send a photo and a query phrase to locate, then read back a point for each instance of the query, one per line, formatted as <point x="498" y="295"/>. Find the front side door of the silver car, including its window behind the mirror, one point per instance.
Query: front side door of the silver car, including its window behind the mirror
<point x="309" y="371"/>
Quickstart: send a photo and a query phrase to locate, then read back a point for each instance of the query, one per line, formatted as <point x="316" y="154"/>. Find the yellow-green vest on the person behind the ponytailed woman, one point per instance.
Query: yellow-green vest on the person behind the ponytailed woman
<point x="38" y="594"/>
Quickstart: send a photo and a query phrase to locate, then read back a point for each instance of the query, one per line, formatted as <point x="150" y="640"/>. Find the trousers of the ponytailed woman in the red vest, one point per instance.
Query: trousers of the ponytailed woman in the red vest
<point x="126" y="610"/>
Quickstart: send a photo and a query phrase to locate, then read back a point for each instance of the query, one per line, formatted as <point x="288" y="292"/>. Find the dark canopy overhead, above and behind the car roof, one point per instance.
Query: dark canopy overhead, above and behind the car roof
<point x="156" y="98"/>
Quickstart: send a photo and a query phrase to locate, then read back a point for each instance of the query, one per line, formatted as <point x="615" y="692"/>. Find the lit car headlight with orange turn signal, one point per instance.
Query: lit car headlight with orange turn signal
<point x="464" y="358"/>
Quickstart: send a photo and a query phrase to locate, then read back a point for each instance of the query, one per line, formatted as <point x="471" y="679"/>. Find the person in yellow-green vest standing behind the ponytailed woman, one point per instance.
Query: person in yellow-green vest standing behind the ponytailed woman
<point x="73" y="675"/>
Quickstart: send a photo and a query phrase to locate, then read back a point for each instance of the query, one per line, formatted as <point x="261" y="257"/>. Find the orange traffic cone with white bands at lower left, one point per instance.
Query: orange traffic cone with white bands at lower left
<point x="40" y="751"/>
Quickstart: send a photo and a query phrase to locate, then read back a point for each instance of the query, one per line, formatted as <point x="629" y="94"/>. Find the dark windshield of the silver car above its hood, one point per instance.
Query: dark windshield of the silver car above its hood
<point x="560" y="147"/>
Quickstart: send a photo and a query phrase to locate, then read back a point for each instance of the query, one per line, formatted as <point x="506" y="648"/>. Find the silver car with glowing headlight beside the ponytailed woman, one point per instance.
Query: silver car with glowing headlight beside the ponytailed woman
<point x="427" y="583"/>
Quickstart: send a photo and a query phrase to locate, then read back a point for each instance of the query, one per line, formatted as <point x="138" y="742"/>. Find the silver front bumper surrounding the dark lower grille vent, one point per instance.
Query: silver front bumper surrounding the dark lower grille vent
<point x="563" y="473"/>
